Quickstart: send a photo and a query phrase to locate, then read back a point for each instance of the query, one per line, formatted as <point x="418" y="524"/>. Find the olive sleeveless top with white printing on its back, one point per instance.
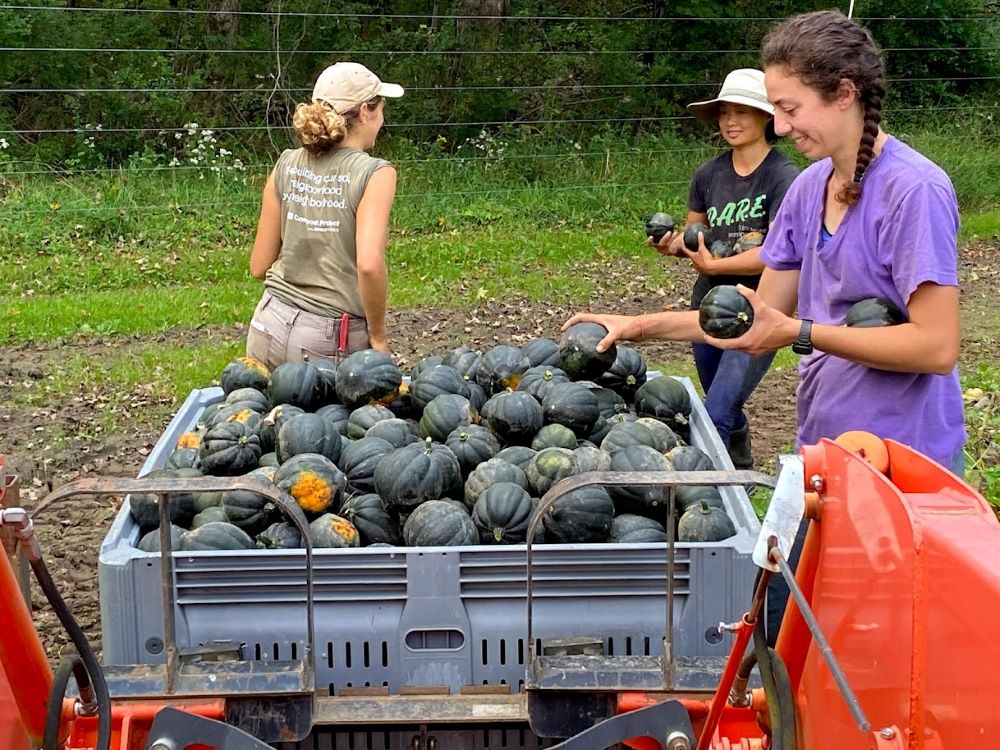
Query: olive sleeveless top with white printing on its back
<point x="317" y="268"/>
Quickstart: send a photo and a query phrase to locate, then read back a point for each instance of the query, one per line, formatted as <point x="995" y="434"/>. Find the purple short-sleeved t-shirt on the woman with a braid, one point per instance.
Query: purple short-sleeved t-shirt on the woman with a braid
<point x="901" y="234"/>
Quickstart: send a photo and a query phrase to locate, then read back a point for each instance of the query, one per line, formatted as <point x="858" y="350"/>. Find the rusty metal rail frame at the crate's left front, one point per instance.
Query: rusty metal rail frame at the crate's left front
<point x="245" y="680"/>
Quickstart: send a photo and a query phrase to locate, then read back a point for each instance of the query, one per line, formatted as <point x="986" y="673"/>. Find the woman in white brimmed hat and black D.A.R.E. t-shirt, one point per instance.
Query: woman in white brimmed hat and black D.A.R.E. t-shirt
<point x="736" y="195"/>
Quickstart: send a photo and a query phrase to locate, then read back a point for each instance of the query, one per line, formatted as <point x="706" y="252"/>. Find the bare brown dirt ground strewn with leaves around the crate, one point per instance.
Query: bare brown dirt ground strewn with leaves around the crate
<point x="33" y="438"/>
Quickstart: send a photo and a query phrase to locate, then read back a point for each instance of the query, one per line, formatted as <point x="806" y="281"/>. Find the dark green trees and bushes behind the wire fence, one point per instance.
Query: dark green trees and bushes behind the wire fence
<point x="222" y="69"/>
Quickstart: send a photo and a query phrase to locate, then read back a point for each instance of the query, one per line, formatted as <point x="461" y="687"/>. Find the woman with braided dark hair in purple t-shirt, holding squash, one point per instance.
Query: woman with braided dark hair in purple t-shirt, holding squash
<point x="870" y="218"/>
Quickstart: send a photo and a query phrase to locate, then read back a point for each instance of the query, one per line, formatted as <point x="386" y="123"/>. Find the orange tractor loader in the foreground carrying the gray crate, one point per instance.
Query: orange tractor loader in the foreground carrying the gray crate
<point x="890" y="640"/>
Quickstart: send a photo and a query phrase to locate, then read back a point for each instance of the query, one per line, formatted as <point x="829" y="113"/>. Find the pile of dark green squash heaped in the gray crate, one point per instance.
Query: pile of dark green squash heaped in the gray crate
<point x="458" y="455"/>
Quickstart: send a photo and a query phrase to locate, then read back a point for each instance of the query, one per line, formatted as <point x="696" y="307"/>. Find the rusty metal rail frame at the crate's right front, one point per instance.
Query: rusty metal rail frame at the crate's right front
<point x="666" y="479"/>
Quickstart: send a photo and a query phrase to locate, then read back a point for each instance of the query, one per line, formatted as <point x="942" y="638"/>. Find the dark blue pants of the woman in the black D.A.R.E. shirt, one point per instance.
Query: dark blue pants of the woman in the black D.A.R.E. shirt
<point x="728" y="378"/>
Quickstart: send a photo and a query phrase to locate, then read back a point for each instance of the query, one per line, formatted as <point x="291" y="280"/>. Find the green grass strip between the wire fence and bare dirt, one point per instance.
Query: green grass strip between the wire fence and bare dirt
<point x="149" y="249"/>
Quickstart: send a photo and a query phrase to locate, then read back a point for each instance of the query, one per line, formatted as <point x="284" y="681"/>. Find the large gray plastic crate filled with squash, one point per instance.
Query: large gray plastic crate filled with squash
<point x="451" y="616"/>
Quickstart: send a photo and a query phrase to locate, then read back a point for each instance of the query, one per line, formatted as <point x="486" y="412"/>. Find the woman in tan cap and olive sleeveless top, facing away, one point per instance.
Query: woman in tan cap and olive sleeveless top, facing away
<point x="321" y="236"/>
